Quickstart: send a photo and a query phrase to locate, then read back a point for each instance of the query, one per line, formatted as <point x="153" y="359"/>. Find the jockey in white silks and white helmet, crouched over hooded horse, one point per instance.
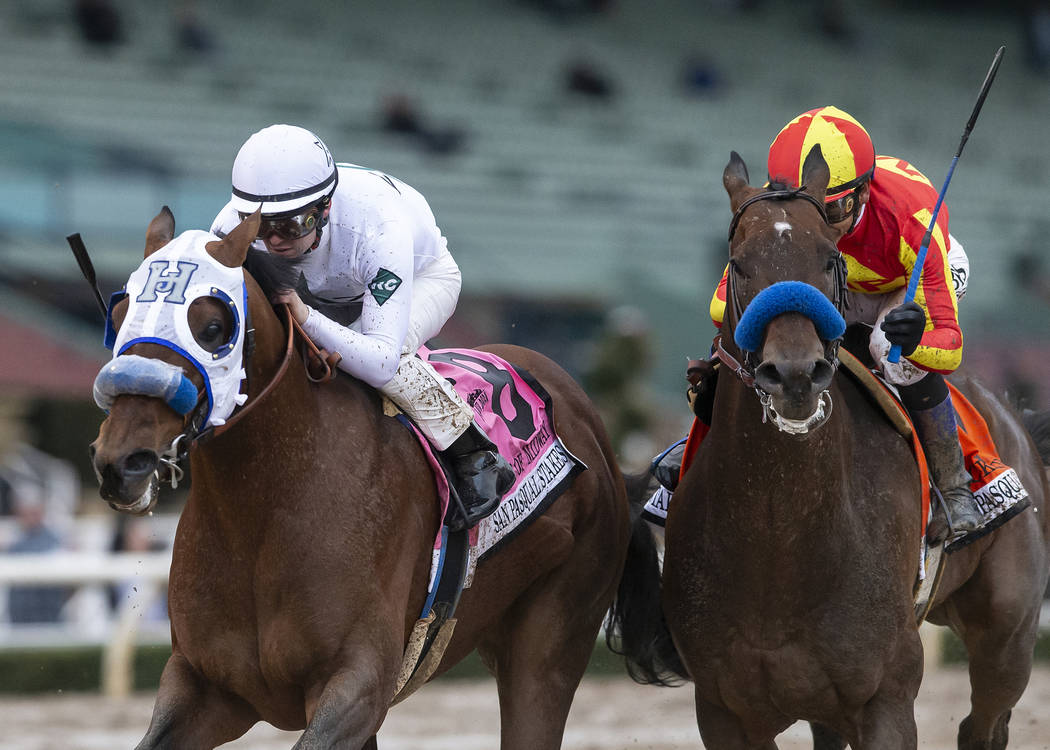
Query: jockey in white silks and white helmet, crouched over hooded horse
<point x="369" y="243"/>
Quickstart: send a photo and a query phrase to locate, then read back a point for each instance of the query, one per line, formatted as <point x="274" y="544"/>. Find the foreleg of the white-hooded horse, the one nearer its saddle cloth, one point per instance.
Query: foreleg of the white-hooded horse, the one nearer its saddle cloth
<point x="347" y="712"/>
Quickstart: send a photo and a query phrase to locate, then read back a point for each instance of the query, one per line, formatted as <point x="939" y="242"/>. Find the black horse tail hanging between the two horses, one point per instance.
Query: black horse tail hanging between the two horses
<point x="636" y="628"/>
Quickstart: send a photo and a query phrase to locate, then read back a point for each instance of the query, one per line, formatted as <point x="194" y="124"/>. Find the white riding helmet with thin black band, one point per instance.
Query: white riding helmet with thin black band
<point x="284" y="168"/>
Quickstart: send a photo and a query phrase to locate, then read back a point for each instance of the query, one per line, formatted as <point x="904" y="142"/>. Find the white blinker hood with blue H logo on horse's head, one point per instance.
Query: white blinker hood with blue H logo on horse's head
<point x="160" y="294"/>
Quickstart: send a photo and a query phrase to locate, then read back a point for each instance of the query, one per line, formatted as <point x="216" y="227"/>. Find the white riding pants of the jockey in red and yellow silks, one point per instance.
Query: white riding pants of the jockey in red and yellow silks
<point x="871" y="309"/>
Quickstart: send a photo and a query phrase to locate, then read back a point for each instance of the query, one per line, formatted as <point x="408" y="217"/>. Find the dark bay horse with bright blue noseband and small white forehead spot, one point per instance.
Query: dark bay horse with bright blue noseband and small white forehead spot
<point x="792" y="554"/>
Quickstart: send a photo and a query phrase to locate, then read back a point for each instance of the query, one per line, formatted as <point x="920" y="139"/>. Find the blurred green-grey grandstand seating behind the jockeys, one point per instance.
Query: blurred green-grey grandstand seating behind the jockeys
<point x="560" y="204"/>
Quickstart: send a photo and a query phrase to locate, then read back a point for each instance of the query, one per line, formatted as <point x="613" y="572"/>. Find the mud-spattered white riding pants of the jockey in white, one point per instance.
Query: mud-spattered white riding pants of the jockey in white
<point x="416" y="388"/>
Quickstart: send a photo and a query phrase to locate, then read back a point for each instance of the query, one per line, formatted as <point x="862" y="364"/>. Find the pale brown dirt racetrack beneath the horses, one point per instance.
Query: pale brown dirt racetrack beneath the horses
<point x="610" y="714"/>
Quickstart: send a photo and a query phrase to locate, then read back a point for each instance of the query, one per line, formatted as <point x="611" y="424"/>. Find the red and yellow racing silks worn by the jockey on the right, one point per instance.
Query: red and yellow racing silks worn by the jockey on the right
<point x="881" y="252"/>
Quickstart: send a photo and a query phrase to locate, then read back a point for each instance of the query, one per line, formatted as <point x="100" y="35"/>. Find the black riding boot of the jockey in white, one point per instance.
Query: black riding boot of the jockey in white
<point x="482" y="477"/>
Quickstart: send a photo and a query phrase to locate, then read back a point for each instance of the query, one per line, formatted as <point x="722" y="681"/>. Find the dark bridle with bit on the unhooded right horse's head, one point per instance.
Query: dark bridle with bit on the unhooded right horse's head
<point x="746" y="370"/>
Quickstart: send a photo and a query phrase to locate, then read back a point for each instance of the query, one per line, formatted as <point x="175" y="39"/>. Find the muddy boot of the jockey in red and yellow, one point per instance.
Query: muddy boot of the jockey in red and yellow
<point x="940" y="442"/>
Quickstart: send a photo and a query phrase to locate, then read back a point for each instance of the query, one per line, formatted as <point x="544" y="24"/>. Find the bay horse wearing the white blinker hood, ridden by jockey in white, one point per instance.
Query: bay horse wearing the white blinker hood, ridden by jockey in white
<point x="303" y="554"/>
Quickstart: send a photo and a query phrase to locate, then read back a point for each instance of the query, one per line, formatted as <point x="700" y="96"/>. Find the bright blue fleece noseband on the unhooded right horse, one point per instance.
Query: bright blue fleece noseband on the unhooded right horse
<point x="788" y="297"/>
